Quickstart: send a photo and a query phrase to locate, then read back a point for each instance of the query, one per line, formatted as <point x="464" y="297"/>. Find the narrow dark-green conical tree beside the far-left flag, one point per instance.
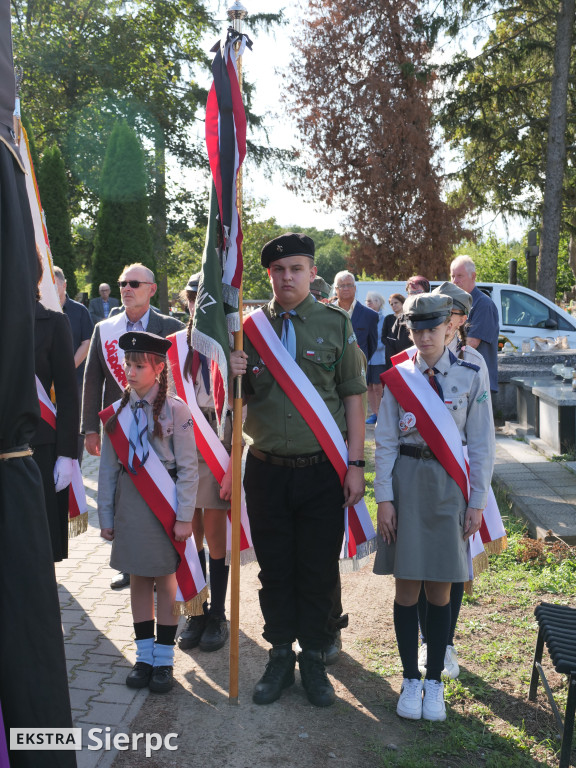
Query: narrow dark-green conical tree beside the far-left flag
<point x="53" y="186"/>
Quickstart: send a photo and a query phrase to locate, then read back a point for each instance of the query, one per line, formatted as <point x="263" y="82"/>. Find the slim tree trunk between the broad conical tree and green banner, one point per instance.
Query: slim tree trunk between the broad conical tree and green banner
<point x="159" y="220"/>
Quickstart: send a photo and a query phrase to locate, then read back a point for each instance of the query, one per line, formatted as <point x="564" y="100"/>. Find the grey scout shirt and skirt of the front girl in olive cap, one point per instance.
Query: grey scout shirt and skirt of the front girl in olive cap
<point x="430" y="506"/>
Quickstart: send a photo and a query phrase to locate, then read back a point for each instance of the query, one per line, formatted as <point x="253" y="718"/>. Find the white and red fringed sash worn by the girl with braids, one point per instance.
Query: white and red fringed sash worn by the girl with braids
<point x="155" y="485"/>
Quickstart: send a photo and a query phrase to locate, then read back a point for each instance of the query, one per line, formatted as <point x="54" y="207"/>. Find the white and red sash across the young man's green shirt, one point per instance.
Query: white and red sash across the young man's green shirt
<point x="359" y="537"/>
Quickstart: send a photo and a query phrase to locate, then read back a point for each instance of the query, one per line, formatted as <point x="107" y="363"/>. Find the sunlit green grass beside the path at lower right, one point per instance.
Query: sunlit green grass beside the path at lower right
<point x="490" y="722"/>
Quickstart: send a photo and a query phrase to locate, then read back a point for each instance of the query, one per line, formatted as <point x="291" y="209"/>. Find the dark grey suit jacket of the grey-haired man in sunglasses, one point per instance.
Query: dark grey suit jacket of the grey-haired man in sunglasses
<point x="100" y="387"/>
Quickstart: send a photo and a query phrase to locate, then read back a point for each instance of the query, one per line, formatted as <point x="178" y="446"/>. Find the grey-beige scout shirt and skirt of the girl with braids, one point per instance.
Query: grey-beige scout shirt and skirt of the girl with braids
<point x="140" y="545"/>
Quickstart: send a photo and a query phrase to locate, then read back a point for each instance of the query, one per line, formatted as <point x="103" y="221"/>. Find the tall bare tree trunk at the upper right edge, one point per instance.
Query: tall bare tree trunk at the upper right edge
<point x="556" y="152"/>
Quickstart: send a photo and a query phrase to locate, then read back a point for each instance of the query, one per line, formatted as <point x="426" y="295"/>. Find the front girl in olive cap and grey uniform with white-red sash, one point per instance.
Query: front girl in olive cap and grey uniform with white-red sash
<point x="432" y="405"/>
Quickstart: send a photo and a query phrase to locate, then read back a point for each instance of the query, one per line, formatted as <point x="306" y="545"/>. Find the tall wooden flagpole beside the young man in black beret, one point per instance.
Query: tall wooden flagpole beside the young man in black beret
<point x="236" y="13"/>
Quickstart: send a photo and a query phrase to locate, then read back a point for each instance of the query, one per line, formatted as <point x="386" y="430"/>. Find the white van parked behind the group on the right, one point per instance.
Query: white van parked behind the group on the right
<point x="523" y="313"/>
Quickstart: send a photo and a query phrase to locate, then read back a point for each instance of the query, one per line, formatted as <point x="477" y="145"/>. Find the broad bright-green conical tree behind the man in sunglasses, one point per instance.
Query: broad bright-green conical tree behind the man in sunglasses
<point x="122" y="230"/>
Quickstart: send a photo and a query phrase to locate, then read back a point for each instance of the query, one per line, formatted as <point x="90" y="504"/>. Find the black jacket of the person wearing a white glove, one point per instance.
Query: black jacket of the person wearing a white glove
<point x="54" y="356"/>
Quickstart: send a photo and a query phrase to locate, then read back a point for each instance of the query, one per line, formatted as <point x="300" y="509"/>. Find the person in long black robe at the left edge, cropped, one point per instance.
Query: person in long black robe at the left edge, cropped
<point x="33" y="679"/>
